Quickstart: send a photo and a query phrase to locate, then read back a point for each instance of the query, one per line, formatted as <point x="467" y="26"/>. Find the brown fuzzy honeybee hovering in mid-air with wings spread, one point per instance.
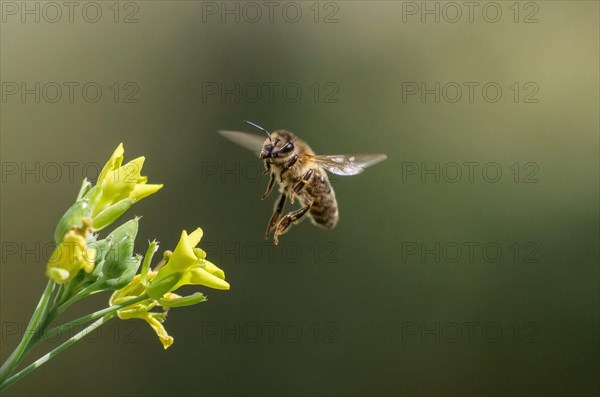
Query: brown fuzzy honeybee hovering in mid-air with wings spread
<point x="300" y="173"/>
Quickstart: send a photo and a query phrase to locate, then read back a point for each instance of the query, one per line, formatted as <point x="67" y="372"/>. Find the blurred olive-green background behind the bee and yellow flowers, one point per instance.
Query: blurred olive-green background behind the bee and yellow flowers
<point x="363" y="309"/>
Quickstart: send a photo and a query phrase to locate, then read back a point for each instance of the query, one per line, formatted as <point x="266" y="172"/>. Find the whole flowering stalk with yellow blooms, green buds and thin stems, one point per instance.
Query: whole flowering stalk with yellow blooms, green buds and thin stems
<point x="83" y="264"/>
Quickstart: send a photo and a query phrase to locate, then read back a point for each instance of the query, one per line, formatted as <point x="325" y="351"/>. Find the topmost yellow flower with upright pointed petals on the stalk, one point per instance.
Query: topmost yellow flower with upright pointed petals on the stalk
<point x="117" y="182"/>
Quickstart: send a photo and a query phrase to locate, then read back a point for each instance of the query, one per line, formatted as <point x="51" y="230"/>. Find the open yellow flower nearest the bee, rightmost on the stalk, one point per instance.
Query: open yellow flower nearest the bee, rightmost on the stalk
<point x="187" y="266"/>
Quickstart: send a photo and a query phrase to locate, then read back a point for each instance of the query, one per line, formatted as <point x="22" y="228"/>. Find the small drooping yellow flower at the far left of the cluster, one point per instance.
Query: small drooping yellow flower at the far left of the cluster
<point x="70" y="257"/>
